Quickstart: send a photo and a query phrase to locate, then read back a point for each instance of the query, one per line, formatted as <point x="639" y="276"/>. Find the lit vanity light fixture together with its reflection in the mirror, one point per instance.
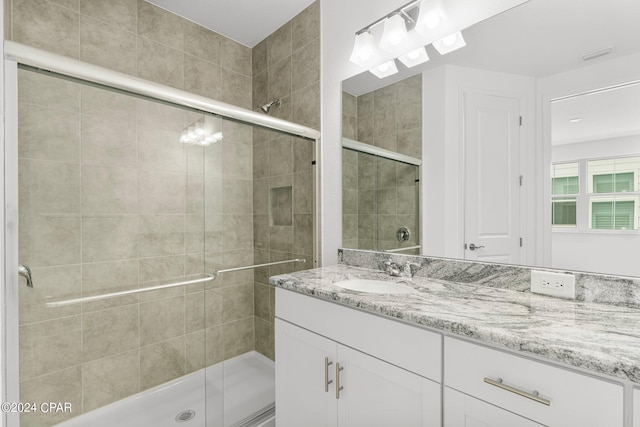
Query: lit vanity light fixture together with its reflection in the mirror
<point x="404" y="35"/>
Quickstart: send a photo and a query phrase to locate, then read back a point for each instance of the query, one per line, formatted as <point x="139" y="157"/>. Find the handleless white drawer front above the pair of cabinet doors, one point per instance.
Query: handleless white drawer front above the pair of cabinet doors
<point x="408" y="347"/>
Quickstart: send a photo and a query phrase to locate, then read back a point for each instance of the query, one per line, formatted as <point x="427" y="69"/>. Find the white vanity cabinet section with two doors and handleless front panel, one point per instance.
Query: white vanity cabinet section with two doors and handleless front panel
<point x="387" y="375"/>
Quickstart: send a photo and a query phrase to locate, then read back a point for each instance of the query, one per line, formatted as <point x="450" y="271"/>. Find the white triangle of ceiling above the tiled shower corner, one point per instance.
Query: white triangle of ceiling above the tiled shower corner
<point x="245" y="21"/>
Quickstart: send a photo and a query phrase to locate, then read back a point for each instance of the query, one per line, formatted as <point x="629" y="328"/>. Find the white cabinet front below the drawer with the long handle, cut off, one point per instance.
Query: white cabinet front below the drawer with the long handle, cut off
<point x="461" y="410"/>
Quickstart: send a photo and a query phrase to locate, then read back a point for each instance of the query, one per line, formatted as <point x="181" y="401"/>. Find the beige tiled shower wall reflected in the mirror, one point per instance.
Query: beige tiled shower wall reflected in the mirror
<point x="377" y="193"/>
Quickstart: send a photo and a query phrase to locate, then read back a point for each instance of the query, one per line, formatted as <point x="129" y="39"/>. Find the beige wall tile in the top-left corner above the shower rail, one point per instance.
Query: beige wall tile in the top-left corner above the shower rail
<point x="42" y="24"/>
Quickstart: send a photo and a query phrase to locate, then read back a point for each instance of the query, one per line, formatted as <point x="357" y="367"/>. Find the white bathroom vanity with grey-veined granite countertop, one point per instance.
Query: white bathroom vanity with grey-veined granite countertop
<point x="449" y="354"/>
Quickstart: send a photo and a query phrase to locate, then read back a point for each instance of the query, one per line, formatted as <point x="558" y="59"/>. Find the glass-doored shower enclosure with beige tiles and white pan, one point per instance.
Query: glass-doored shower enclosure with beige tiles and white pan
<point x="149" y="226"/>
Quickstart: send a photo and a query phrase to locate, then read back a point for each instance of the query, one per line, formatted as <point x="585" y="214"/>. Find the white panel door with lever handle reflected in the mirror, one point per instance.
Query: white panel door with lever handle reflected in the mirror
<point x="492" y="178"/>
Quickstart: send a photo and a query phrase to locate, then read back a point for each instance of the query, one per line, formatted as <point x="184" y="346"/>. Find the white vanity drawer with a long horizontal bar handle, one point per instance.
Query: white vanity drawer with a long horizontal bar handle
<point x="573" y="399"/>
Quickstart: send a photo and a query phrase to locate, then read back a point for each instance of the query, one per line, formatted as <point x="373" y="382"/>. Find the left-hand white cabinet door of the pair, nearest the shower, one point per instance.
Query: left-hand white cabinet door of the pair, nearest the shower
<point x="301" y="399"/>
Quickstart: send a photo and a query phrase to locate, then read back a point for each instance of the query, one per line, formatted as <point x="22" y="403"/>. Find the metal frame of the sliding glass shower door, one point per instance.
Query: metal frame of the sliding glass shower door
<point x="16" y="54"/>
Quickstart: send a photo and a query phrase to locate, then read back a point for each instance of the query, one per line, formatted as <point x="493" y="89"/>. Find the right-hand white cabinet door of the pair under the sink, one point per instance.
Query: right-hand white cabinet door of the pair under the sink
<point x="379" y="394"/>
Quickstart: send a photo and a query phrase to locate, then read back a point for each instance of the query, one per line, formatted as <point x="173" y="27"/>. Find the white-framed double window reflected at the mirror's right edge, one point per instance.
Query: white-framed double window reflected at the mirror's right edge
<point x="611" y="200"/>
